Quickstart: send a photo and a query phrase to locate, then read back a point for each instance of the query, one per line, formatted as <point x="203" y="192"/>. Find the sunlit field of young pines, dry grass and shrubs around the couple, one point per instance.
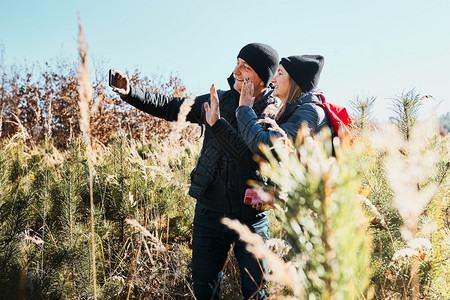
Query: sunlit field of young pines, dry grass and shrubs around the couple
<point x="94" y="202"/>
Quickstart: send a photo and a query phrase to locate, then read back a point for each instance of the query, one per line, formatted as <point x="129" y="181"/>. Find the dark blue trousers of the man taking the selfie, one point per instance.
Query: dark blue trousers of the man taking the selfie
<point x="210" y="245"/>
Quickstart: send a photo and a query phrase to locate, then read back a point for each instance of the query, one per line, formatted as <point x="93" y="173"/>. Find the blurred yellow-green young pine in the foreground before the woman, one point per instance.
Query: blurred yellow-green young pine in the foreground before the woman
<point x="323" y="220"/>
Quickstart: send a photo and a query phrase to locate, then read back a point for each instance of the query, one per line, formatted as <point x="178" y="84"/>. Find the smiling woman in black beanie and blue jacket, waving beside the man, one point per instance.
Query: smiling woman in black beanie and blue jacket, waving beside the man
<point x="295" y="85"/>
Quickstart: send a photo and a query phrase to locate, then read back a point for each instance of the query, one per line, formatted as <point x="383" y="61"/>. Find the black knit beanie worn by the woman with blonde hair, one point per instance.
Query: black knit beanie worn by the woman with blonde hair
<point x="304" y="70"/>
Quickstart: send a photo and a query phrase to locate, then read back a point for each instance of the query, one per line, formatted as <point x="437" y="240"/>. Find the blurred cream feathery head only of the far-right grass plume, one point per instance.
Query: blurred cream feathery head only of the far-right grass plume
<point x="409" y="165"/>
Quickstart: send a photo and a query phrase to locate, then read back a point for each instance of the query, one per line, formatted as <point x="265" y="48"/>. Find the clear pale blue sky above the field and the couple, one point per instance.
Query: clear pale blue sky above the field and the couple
<point x="377" y="48"/>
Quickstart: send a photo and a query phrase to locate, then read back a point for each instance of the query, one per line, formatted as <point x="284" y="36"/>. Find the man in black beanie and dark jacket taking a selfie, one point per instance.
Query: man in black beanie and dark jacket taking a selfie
<point x="216" y="181"/>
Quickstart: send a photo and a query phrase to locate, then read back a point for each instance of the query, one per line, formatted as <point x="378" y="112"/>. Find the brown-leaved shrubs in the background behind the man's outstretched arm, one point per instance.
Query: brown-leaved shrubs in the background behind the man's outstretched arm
<point x="50" y="97"/>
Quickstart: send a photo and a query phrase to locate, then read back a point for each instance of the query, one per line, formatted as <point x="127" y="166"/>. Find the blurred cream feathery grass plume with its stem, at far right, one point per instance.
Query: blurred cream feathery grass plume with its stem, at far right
<point x="410" y="162"/>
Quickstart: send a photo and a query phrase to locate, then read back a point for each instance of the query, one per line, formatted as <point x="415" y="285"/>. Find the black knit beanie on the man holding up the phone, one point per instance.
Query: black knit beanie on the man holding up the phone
<point x="262" y="58"/>
